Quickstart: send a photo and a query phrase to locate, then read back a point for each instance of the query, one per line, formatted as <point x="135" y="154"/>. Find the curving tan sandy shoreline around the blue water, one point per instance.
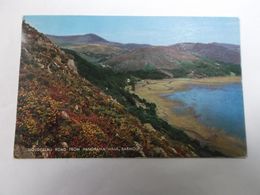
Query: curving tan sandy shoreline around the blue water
<point x="156" y="90"/>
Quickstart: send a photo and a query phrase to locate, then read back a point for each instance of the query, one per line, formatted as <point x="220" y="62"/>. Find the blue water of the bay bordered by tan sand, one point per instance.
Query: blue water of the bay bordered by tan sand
<point x="219" y="107"/>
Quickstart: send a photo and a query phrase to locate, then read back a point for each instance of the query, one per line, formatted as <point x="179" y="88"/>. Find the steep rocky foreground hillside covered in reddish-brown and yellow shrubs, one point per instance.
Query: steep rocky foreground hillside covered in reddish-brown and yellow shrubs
<point x="60" y="112"/>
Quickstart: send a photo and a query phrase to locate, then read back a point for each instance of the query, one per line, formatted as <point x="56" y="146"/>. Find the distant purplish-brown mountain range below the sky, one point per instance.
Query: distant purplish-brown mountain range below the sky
<point x="132" y="57"/>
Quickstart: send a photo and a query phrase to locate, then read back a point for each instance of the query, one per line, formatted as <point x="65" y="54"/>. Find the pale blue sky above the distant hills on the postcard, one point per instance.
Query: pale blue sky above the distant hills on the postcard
<point x="143" y="29"/>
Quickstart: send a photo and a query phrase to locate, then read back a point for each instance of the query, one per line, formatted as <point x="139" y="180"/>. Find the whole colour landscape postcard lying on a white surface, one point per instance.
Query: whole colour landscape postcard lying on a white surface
<point x="130" y="87"/>
